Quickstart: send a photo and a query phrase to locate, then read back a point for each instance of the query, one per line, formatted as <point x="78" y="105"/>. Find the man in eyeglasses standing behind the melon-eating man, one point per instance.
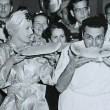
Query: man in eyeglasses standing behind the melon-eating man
<point x="81" y="11"/>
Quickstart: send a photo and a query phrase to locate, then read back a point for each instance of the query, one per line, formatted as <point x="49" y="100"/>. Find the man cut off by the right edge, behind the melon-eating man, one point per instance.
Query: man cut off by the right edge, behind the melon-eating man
<point x="107" y="15"/>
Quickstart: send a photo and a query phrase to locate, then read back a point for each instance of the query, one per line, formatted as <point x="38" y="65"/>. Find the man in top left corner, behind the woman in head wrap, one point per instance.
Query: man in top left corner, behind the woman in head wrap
<point x="6" y="7"/>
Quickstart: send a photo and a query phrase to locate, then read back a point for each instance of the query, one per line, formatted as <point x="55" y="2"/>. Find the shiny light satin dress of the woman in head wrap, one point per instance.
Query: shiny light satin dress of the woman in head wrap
<point x="22" y="83"/>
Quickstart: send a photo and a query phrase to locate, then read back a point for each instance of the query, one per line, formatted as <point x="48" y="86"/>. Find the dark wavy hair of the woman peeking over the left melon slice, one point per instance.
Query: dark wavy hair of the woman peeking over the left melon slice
<point x="48" y="32"/>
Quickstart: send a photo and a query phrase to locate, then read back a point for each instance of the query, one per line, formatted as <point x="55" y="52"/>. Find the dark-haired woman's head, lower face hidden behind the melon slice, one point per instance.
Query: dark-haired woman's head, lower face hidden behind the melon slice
<point x="57" y="32"/>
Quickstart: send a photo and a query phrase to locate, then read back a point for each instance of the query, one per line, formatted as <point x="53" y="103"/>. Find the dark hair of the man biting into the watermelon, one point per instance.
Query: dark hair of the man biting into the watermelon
<point x="95" y="22"/>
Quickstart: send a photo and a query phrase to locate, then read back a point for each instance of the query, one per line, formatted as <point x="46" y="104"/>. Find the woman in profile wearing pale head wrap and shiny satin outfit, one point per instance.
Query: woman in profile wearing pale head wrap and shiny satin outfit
<point x="20" y="77"/>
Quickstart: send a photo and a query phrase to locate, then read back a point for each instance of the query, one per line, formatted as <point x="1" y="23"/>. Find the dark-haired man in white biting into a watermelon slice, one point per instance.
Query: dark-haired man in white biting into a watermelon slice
<point x="84" y="82"/>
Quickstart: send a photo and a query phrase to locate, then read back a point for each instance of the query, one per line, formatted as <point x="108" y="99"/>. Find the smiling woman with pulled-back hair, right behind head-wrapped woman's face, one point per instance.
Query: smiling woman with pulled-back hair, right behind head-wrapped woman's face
<point x="40" y="23"/>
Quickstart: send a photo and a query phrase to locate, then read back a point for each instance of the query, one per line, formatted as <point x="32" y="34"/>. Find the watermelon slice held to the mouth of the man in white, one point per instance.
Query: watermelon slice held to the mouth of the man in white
<point x="92" y="52"/>
